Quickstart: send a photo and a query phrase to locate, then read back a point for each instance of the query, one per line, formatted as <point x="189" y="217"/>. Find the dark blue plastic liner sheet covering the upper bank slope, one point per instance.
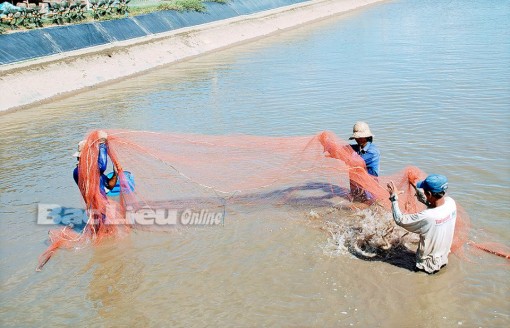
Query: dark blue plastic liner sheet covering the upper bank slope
<point x="22" y="46"/>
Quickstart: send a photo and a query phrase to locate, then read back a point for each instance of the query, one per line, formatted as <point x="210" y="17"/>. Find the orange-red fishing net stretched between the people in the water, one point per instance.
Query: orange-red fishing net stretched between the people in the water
<point x="167" y="180"/>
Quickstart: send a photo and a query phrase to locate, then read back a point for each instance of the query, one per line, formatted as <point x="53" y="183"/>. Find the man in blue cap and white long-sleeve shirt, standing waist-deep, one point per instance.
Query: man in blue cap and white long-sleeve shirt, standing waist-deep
<point x="435" y="225"/>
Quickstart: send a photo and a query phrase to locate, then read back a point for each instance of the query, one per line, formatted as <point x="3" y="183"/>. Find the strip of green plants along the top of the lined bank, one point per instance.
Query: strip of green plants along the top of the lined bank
<point x="75" y="12"/>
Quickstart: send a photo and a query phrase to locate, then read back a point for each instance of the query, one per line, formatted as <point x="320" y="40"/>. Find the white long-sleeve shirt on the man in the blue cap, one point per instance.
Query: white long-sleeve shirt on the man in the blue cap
<point x="435" y="227"/>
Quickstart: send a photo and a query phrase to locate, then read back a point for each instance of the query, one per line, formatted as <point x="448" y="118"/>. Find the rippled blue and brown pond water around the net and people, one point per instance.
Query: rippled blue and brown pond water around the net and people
<point x="432" y="79"/>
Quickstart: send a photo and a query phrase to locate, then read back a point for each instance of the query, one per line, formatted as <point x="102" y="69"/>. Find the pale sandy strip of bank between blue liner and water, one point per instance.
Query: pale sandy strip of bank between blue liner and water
<point x="41" y="80"/>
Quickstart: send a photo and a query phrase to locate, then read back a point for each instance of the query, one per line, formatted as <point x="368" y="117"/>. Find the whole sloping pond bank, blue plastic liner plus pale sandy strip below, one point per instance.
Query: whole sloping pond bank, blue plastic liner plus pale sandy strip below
<point x="40" y="65"/>
